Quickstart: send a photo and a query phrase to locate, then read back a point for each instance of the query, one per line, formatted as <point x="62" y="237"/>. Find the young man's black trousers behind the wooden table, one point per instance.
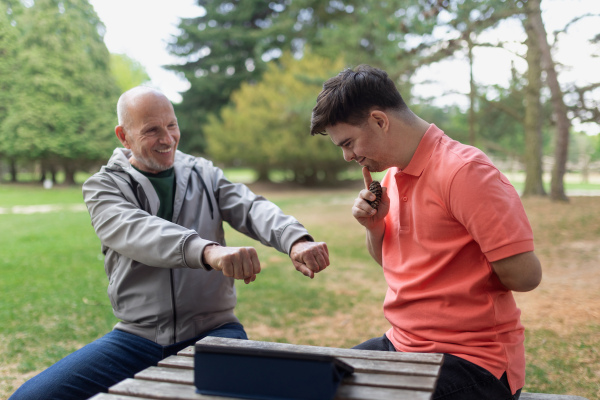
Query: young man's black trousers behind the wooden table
<point x="459" y="379"/>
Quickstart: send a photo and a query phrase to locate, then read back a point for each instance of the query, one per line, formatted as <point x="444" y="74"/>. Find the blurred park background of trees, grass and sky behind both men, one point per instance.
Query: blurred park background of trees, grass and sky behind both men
<point x="515" y="78"/>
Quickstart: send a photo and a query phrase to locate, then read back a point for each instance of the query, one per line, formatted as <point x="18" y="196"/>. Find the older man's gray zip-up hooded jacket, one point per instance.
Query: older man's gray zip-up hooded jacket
<point x="158" y="285"/>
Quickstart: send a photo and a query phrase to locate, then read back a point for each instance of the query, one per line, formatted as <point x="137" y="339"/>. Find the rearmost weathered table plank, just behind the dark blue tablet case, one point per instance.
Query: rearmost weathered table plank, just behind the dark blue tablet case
<point x="427" y="358"/>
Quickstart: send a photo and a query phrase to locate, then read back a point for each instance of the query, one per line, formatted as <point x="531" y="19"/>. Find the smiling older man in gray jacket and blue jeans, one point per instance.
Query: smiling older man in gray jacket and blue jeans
<point x="159" y="215"/>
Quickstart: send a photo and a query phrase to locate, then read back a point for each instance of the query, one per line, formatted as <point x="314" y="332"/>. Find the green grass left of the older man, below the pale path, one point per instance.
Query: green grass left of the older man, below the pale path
<point x="53" y="287"/>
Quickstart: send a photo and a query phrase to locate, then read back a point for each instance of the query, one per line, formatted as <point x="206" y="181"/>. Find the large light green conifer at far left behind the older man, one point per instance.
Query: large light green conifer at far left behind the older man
<point x="61" y="99"/>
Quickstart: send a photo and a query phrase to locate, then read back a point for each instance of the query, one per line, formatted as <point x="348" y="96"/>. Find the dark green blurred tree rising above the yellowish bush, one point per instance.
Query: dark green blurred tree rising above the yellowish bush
<point x="233" y="40"/>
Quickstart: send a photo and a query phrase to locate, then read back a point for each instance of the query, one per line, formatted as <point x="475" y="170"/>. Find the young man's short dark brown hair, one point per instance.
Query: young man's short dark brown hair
<point x="351" y="95"/>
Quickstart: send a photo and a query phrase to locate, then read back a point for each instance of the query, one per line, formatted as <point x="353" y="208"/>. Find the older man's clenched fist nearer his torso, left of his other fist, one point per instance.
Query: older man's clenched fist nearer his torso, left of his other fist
<point x="236" y="262"/>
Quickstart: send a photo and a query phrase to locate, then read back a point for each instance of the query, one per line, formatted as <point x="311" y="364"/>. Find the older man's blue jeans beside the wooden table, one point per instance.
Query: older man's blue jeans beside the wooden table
<point x="106" y="361"/>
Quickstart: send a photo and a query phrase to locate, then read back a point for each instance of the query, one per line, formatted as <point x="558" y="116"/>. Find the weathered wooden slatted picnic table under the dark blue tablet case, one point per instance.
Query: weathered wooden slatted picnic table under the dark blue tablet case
<point x="378" y="375"/>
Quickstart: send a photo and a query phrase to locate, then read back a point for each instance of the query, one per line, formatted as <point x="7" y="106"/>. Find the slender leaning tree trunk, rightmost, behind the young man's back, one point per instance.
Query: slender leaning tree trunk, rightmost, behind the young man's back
<point x="557" y="188"/>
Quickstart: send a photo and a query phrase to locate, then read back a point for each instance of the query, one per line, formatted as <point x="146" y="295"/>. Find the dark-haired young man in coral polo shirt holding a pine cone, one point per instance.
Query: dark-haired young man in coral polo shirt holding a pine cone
<point x="450" y="233"/>
